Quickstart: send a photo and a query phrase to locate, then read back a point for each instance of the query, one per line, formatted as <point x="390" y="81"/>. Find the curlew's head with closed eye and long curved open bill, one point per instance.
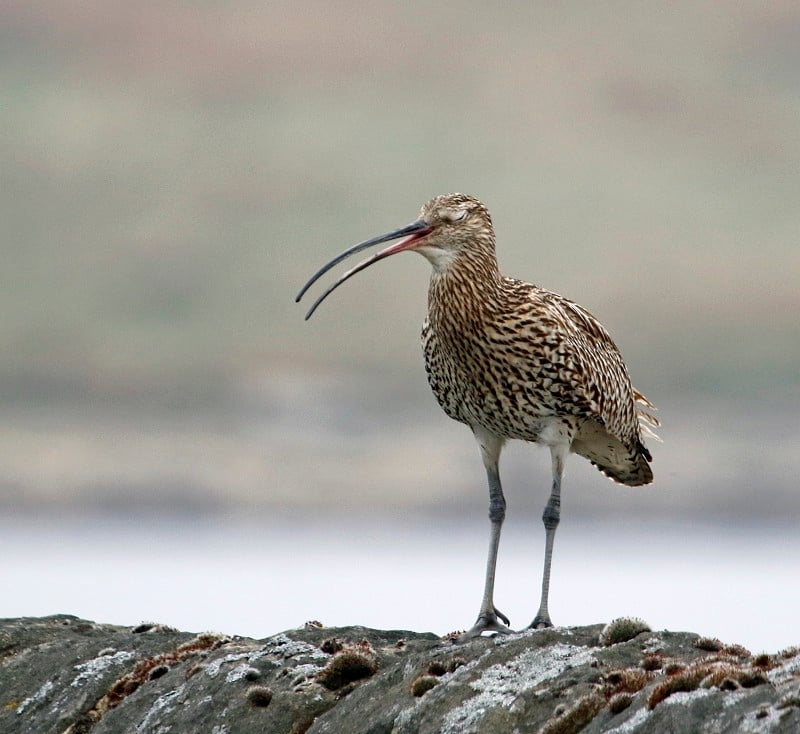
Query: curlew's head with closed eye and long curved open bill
<point x="449" y="227"/>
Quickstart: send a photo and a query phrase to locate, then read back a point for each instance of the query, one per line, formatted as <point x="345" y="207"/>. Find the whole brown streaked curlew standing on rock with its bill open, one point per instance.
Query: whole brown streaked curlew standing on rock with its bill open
<point x="512" y="360"/>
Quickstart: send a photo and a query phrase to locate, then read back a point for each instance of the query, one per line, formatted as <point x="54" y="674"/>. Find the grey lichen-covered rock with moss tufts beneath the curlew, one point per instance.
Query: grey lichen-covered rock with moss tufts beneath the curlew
<point x="63" y="675"/>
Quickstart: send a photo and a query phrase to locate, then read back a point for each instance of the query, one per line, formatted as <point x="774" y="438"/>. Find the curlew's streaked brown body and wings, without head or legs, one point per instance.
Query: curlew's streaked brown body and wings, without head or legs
<point x="519" y="358"/>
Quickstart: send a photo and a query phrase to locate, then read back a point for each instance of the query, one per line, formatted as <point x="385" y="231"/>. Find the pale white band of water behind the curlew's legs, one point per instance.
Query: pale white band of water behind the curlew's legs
<point x="259" y="576"/>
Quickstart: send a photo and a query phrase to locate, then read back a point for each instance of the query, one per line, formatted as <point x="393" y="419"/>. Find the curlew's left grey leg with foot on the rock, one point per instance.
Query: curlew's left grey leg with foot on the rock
<point x="490" y="619"/>
